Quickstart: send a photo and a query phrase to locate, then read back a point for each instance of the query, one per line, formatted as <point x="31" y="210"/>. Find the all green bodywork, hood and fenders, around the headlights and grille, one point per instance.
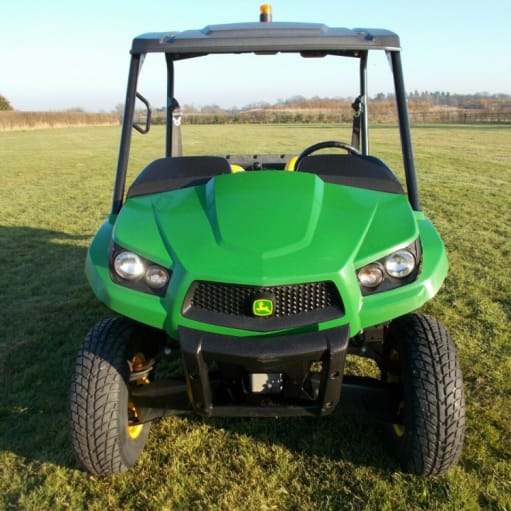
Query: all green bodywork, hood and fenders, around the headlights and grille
<point x="267" y="228"/>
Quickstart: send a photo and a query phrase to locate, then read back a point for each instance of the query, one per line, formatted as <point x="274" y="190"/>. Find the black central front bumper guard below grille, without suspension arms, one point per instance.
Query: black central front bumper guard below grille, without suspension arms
<point x="216" y="367"/>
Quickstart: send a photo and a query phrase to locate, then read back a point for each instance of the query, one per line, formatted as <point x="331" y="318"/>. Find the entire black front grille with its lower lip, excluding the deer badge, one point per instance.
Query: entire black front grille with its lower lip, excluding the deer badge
<point x="231" y="304"/>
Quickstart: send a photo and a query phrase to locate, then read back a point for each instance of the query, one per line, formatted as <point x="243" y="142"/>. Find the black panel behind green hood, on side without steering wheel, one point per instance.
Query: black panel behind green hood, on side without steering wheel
<point x="176" y="172"/>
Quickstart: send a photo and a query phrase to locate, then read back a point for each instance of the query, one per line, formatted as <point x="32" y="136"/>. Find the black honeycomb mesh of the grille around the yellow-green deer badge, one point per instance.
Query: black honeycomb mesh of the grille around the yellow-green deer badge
<point x="218" y="298"/>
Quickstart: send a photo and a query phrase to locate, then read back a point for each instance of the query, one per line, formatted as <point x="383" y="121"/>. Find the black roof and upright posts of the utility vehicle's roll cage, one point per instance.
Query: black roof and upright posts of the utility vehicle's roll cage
<point x="306" y="39"/>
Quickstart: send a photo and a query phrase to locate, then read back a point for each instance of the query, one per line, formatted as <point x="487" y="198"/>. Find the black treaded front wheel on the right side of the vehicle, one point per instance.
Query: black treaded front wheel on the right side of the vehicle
<point x="423" y="372"/>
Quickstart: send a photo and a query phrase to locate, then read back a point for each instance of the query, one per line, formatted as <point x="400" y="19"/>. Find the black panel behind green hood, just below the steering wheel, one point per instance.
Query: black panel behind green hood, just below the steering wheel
<point x="360" y="171"/>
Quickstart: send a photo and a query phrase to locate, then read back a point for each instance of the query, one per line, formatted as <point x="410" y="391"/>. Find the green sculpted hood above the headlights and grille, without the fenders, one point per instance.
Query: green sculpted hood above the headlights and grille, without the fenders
<point x="265" y="228"/>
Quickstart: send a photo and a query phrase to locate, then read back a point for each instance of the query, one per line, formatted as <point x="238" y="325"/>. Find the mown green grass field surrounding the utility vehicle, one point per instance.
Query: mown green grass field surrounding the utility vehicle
<point x="55" y="190"/>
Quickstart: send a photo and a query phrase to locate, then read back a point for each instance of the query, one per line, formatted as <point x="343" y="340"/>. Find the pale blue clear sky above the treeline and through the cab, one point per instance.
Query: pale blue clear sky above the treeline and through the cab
<point x="59" y="55"/>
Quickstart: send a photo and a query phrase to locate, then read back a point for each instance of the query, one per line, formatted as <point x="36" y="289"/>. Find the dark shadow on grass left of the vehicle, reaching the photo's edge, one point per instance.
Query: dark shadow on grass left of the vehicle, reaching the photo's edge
<point x="47" y="308"/>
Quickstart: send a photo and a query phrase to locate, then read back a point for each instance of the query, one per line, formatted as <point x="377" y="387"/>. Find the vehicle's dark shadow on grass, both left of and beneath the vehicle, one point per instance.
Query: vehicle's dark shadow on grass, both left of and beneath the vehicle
<point x="49" y="308"/>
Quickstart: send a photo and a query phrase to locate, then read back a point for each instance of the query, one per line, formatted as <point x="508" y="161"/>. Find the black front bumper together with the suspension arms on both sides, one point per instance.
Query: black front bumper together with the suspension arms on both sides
<point x="217" y="369"/>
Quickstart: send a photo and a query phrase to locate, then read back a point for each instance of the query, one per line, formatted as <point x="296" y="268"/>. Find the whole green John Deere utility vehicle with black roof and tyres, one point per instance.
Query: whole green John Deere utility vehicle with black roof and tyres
<point x="242" y="282"/>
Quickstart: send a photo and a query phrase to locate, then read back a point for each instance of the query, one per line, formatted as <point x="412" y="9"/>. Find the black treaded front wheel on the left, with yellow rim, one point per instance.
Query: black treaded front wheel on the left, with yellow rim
<point x="106" y="435"/>
